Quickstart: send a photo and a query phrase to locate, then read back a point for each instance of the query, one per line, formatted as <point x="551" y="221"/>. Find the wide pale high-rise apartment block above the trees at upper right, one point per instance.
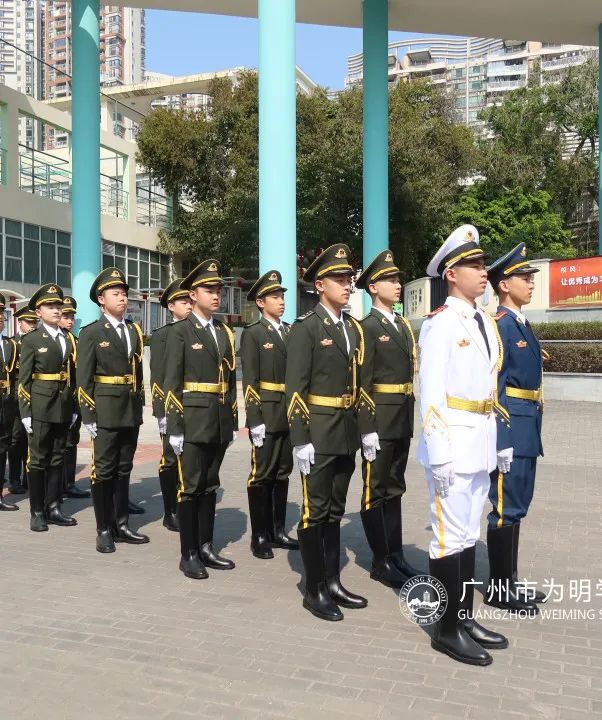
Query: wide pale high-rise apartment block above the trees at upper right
<point x="478" y="72"/>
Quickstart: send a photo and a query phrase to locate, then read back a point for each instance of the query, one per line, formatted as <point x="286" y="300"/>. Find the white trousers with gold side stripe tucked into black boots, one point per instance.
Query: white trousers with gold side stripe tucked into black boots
<point x="456" y="519"/>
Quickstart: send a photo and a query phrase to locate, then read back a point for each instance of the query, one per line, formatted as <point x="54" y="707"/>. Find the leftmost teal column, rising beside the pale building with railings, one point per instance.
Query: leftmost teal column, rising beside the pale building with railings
<point x="85" y="144"/>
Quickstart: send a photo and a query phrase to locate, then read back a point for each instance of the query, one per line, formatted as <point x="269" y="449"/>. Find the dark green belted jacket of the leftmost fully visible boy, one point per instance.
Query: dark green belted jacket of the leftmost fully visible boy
<point x="48" y="401"/>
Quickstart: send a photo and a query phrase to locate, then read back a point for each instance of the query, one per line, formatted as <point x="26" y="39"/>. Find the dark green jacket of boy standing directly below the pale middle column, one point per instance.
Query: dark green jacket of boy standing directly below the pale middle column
<point x="263" y="358"/>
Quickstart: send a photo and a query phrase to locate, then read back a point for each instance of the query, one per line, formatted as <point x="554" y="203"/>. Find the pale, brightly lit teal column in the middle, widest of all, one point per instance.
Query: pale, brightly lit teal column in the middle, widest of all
<point x="277" y="145"/>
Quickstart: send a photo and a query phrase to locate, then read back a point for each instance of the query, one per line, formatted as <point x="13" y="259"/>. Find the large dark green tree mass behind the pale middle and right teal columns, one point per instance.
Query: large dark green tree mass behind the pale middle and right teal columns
<point x="212" y="159"/>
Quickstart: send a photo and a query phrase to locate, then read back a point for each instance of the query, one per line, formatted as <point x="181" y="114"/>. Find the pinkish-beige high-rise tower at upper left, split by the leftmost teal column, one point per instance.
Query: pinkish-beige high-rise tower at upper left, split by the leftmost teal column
<point x="122" y="54"/>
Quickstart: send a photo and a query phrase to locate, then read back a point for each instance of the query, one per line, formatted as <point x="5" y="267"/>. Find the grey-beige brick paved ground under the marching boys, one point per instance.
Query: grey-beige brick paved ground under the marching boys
<point x="87" y="637"/>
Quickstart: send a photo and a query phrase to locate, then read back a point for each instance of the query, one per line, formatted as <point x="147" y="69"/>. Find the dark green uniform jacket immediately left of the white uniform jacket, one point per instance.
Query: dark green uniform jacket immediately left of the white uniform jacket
<point x="389" y="359"/>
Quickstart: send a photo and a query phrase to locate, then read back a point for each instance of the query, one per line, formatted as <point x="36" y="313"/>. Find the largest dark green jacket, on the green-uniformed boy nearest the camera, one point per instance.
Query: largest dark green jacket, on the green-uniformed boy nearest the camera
<point x="318" y="364"/>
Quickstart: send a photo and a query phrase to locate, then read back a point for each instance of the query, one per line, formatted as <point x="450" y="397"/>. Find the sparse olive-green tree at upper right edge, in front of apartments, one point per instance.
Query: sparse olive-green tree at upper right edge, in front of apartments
<point x="544" y="137"/>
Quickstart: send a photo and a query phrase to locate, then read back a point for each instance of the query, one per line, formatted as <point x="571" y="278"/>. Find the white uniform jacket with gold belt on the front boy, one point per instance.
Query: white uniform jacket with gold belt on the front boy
<point x="454" y="362"/>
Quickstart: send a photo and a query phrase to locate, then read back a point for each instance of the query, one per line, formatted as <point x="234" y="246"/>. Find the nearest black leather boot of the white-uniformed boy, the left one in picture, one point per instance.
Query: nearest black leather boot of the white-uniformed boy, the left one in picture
<point x="449" y="635"/>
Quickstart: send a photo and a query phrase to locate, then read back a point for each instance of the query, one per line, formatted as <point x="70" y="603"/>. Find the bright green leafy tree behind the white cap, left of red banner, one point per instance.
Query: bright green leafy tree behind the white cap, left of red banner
<point x="515" y="216"/>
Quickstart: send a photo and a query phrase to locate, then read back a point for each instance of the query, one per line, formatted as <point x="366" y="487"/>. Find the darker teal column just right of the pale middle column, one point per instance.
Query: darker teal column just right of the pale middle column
<point x="376" y="129"/>
